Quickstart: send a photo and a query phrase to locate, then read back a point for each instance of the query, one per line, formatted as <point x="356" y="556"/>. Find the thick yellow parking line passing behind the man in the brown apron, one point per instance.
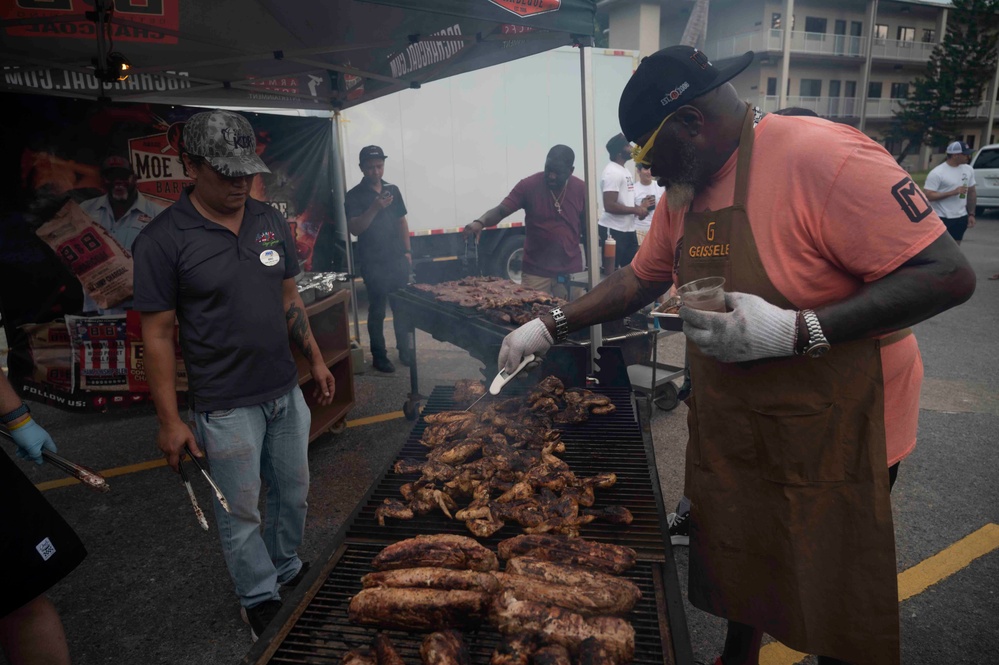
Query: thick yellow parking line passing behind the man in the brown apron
<point x="913" y="581"/>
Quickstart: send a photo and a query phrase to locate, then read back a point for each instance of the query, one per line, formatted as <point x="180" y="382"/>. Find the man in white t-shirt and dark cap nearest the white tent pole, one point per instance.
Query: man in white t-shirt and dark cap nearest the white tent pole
<point x="619" y="209"/>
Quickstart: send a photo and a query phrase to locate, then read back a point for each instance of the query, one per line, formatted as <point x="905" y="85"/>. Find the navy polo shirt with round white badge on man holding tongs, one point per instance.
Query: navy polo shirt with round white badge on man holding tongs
<point x="228" y="294"/>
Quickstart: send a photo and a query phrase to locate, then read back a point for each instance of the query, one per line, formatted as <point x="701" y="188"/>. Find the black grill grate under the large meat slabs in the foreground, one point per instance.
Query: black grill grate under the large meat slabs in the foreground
<point x="323" y="633"/>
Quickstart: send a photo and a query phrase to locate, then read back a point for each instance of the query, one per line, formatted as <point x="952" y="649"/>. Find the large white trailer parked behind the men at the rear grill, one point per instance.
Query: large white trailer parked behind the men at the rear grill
<point x="456" y="147"/>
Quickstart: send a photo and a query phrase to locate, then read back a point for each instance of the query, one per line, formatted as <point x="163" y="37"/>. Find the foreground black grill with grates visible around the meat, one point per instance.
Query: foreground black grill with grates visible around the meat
<point x="313" y="626"/>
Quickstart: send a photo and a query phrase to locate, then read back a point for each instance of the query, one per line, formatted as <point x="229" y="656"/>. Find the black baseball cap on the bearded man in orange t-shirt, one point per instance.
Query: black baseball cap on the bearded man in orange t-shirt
<point x="665" y="81"/>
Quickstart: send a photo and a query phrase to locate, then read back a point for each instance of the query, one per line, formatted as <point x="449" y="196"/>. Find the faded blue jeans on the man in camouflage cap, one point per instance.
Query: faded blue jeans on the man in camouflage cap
<point x="267" y="441"/>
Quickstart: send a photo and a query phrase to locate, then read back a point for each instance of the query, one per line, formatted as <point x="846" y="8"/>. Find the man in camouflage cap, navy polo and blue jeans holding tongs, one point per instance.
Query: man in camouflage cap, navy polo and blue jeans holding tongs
<point x="223" y="264"/>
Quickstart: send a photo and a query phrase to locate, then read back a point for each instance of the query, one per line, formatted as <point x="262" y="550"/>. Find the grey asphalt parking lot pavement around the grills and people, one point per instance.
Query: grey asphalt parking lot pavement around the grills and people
<point x="154" y="588"/>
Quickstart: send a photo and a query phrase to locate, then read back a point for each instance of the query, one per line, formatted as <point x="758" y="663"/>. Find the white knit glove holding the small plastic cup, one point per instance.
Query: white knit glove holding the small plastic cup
<point x="750" y="330"/>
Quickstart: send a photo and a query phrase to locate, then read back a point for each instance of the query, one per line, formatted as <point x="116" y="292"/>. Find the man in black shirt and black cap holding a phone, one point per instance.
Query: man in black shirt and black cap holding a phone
<point x="376" y="214"/>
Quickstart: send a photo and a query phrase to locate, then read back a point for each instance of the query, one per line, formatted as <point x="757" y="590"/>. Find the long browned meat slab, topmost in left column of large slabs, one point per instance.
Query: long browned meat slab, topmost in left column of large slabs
<point x="440" y="550"/>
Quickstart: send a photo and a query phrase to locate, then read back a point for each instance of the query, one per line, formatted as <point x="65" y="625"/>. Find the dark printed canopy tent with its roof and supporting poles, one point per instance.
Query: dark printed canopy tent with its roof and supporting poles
<point x="284" y="54"/>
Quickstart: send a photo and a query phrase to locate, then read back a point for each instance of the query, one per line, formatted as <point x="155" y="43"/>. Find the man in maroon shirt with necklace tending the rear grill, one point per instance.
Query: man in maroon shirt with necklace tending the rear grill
<point x="554" y="212"/>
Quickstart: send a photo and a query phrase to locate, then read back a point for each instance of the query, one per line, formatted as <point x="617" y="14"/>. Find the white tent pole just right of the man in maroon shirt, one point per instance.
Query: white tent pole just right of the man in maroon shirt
<point x="590" y="177"/>
